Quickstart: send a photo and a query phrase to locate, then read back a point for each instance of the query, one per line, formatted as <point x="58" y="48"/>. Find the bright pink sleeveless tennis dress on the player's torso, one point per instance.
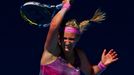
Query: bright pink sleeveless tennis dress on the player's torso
<point x="58" y="67"/>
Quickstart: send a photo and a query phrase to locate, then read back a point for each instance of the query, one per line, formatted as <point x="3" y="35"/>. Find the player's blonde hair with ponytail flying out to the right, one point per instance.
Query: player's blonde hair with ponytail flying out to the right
<point x="98" y="17"/>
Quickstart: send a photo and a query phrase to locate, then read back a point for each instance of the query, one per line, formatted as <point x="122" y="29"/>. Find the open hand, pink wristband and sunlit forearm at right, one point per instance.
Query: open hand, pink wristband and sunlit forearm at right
<point x="106" y="59"/>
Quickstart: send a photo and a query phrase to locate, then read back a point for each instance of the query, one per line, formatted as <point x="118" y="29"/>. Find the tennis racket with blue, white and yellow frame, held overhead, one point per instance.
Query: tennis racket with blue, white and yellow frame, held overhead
<point x="38" y="14"/>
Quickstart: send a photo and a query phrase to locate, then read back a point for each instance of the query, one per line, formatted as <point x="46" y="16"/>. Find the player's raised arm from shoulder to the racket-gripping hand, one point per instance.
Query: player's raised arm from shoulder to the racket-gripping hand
<point x="51" y="44"/>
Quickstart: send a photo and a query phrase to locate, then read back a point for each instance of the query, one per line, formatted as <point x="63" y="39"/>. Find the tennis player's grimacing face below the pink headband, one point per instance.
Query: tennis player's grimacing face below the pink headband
<point x="70" y="40"/>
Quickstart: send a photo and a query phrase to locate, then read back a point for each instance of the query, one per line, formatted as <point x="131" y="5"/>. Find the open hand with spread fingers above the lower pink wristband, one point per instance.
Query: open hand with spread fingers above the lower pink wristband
<point x="108" y="58"/>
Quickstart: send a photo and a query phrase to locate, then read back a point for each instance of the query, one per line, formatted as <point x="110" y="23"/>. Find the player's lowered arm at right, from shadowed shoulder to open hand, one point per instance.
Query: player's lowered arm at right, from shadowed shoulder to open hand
<point x="106" y="59"/>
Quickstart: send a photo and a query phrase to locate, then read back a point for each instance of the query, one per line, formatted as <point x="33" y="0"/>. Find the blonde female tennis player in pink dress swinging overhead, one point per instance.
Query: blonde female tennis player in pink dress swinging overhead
<point x="61" y="57"/>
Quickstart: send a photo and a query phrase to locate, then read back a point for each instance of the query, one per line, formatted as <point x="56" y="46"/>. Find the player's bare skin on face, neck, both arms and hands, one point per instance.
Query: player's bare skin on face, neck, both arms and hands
<point x="52" y="50"/>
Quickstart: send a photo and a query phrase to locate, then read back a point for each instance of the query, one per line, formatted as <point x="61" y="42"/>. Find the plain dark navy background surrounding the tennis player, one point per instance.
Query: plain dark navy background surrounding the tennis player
<point x="21" y="45"/>
